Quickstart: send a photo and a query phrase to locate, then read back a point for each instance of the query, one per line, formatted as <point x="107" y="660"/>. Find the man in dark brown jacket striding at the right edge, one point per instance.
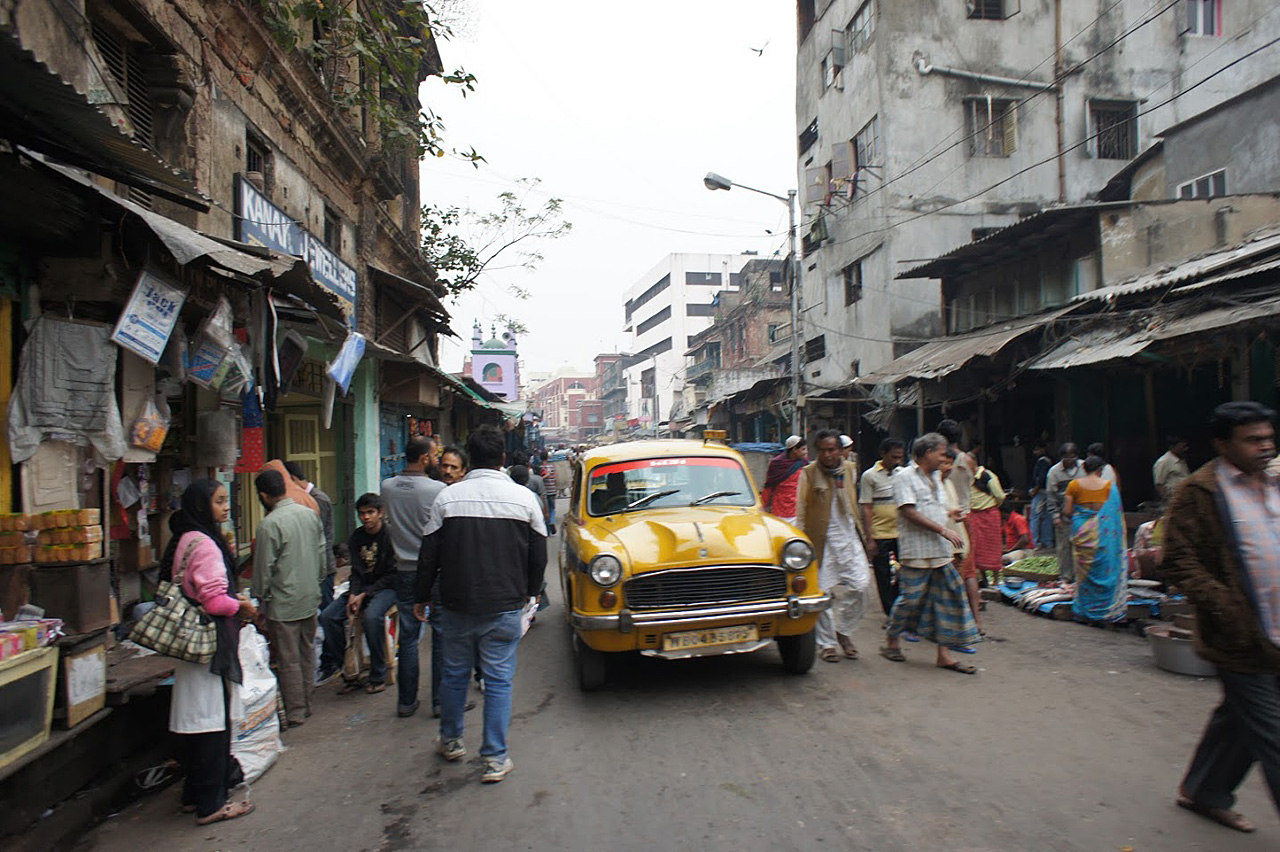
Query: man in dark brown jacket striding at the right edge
<point x="1223" y="549"/>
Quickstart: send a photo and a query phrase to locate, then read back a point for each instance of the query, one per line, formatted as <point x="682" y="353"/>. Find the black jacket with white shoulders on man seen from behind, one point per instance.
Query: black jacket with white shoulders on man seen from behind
<point x="487" y="543"/>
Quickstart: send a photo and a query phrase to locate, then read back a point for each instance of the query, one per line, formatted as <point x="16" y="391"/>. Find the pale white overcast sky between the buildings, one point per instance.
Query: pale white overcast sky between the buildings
<point x="620" y="113"/>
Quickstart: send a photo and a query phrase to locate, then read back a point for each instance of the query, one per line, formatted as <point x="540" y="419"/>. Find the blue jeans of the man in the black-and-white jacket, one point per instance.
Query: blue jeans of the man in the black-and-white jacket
<point x="491" y="642"/>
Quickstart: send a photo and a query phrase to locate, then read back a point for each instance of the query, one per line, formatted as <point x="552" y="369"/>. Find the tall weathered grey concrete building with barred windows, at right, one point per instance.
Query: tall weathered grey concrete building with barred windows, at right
<point x="925" y="125"/>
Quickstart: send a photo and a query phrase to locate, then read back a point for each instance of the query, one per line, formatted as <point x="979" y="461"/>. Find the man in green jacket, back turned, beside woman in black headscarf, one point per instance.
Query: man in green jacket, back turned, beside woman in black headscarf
<point x="289" y="567"/>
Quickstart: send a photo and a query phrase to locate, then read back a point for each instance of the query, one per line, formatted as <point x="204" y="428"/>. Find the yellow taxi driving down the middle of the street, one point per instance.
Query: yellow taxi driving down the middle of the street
<point x="668" y="552"/>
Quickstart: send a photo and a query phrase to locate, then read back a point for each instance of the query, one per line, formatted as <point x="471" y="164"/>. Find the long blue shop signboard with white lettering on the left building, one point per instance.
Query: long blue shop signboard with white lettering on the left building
<point x="260" y="223"/>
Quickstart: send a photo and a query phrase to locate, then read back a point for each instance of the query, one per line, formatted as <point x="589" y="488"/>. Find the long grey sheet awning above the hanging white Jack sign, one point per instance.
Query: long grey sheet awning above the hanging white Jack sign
<point x="285" y="273"/>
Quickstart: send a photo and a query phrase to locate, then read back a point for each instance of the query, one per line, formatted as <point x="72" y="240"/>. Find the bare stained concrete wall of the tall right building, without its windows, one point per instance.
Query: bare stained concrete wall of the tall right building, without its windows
<point x="935" y="191"/>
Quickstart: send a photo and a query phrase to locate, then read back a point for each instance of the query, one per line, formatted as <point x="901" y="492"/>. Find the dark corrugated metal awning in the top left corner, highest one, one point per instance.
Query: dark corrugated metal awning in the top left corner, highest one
<point x="44" y="113"/>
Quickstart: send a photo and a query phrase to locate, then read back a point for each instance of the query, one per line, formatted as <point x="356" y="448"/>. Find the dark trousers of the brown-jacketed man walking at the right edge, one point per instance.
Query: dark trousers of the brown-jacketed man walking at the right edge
<point x="1244" y="730"/>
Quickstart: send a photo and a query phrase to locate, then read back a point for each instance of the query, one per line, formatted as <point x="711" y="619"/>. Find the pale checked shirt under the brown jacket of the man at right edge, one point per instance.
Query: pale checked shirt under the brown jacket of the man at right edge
<point x="1255" y="510"/>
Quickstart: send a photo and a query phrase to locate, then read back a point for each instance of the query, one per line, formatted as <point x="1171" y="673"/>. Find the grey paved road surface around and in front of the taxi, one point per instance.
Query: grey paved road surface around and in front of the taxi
<point x="1069" y="739"/>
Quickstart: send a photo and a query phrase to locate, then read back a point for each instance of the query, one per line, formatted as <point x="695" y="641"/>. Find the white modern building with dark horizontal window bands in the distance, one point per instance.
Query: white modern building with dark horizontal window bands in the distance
<point x="665" y="309"/>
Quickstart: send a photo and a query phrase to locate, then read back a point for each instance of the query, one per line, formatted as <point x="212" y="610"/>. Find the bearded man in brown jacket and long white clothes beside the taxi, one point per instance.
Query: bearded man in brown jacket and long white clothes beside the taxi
<point x="828" y="512"/>
